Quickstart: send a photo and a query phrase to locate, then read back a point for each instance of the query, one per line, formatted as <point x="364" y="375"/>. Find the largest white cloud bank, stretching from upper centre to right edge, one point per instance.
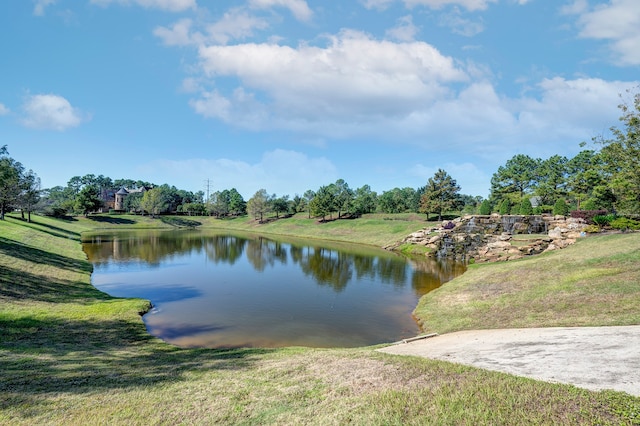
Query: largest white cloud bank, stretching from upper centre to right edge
<point x="357" y="87"/>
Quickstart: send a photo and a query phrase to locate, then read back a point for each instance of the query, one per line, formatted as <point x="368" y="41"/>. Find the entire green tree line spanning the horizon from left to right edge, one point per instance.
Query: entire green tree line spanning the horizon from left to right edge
<point x="606" y="177"/>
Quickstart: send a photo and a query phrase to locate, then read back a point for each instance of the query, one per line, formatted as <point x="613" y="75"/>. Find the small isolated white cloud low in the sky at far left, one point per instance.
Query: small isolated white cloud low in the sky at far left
<point x="50" y="112"/>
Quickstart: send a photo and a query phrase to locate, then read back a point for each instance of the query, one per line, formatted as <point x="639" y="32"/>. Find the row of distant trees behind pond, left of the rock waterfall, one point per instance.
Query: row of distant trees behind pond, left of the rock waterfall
<point x="89" y="193"/>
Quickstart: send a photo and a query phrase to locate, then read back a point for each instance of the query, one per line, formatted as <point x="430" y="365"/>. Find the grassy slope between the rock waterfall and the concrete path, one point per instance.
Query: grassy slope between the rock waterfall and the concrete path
<point x="592" y="283"/>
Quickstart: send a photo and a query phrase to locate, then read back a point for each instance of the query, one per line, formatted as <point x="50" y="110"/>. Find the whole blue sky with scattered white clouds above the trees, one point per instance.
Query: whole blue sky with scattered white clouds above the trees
<point x="289" y="95"/>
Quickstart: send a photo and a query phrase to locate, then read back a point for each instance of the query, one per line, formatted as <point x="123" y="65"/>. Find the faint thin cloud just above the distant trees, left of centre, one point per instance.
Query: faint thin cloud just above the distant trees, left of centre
<point x="273" y="172"/>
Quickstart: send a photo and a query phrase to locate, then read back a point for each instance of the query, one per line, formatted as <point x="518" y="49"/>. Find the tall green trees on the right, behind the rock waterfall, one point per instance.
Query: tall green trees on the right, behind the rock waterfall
<point x="606" y="177"/>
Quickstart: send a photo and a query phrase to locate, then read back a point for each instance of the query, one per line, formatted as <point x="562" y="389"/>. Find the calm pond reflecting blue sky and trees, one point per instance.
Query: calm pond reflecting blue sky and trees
<point x="240" y="290"/>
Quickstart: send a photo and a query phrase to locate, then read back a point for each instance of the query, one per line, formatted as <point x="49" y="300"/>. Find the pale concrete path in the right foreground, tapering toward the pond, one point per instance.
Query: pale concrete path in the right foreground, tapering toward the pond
<point x="594" y="358"/>
